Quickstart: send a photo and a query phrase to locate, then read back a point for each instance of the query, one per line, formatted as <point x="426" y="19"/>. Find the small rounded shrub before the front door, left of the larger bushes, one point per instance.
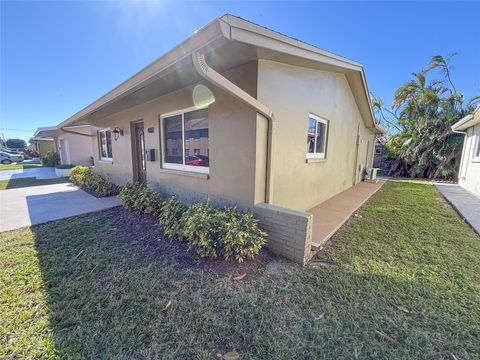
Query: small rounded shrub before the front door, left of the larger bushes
<point x="138" y="196"/>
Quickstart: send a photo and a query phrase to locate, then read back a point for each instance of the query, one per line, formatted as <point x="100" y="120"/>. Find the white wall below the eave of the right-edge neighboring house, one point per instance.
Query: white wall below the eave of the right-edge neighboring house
<point x="469" y="174"/>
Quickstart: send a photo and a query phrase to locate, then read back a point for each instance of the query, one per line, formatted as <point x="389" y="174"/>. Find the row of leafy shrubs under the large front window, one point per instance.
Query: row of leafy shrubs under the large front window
<point x="210" y="230"/>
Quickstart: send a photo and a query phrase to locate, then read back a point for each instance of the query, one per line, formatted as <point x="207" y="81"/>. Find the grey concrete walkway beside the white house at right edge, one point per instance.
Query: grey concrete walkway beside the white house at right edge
<point x="466" y="203"/>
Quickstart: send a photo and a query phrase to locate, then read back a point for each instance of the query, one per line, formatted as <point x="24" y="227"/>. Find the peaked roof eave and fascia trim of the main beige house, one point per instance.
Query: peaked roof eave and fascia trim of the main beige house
<point x="230" y="27"/>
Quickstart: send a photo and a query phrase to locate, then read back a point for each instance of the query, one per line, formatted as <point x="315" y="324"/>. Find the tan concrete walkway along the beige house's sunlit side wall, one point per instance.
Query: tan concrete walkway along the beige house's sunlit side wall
<point x="330" y="215"/>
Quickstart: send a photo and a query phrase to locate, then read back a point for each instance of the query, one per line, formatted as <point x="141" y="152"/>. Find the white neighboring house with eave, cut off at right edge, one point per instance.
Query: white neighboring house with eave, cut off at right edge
<point x="469" y="173"/>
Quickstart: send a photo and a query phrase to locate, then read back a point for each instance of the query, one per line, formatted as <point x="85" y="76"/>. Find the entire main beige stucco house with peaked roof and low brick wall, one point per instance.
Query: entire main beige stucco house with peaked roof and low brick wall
<point x="240" y="114"/>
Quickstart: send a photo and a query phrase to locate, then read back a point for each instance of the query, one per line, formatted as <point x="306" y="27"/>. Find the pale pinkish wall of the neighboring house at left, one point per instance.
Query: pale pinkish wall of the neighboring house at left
<point x="79" y="148"/>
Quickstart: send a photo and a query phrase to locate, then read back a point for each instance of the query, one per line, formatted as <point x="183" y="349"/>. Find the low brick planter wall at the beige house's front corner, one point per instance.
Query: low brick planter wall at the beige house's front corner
<point x="289" y="231"/>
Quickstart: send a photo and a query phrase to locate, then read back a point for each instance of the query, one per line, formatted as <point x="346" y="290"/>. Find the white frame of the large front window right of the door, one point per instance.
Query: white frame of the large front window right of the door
<point x="181" y="167"/>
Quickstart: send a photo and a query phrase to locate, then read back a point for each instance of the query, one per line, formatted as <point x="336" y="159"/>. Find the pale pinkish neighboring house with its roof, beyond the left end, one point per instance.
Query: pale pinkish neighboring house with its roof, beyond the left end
<point x="73" y="144"/>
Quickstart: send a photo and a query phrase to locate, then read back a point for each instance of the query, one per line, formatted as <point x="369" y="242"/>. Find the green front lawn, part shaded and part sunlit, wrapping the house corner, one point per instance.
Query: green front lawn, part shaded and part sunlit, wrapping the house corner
<point x="401" y="281"/>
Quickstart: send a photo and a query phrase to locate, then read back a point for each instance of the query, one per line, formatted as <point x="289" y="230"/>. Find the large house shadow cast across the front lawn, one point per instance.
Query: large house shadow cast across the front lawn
<point x="117" y="289"/>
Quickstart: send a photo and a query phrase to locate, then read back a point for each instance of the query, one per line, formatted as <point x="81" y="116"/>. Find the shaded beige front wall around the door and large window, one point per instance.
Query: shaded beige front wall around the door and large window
<point x="232" y="143"/>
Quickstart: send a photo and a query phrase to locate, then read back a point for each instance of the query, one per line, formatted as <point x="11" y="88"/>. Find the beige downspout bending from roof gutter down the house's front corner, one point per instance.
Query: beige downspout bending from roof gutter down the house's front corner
<point x="220" y="81"/>
